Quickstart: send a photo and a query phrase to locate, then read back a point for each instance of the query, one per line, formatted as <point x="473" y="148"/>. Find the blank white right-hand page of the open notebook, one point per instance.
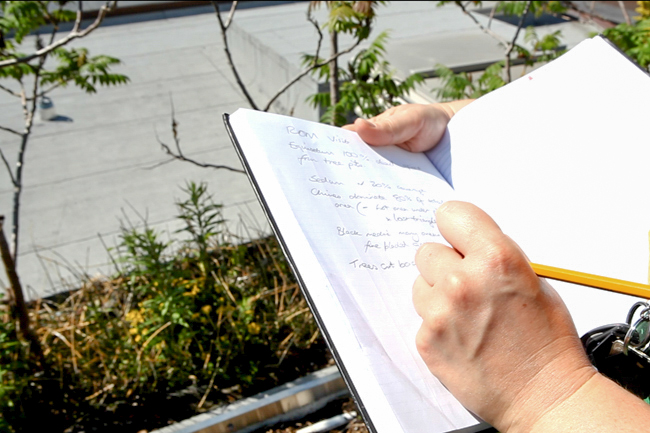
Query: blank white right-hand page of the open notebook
<point x="564" y="169"/>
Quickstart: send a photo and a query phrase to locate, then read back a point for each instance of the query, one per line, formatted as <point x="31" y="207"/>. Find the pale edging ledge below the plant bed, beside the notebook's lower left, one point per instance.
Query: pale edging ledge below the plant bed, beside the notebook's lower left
<point x="287" y="402"/>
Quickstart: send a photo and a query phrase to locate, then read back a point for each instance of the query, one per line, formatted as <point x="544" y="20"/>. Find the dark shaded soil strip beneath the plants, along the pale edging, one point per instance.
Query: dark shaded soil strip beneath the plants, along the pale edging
<point x="63" y="411"/>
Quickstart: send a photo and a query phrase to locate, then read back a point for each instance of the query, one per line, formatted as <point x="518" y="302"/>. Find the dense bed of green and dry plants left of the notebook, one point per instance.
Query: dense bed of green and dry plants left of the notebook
<point x="201" y="317"/>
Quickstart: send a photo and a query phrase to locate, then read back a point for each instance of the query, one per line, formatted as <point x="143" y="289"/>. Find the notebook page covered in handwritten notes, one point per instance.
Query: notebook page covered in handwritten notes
<point x="358" y="217"/>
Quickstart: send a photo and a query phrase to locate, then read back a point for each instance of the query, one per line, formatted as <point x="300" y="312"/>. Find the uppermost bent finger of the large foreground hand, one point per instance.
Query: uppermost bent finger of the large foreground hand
<point x="468" y="228"/>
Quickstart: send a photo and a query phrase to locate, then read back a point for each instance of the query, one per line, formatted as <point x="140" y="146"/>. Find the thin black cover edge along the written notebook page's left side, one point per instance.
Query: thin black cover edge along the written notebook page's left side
<point x="301" y="283"/>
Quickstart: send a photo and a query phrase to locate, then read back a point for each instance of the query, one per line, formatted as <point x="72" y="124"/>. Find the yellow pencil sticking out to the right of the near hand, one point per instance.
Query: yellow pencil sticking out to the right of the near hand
<point x="605" y="283"/>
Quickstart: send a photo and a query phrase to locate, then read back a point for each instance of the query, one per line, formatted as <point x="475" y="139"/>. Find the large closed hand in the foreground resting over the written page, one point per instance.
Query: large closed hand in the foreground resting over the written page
<point x="497" y="336"/>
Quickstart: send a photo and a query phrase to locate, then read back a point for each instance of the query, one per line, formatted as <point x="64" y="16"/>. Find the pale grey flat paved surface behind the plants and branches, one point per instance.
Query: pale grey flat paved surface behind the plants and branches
<point x="83" y="176"/>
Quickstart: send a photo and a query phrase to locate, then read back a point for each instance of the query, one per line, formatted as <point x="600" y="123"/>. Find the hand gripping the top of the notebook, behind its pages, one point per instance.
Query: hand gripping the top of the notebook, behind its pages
<point x="414" y="127"/>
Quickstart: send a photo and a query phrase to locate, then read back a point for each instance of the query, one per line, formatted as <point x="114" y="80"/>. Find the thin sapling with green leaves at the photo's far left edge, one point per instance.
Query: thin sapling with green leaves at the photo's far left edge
<point x="31" y="78"/>
